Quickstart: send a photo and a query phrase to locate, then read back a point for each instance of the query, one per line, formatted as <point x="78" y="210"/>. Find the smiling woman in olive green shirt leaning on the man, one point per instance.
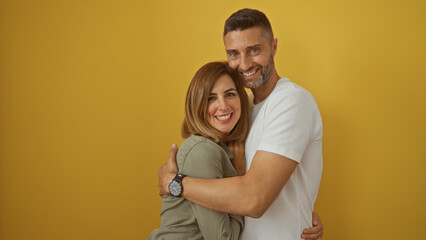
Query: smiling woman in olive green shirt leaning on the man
<point x="216" y="114"/>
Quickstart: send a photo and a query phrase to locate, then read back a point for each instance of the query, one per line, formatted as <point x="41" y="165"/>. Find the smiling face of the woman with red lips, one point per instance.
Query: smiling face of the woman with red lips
<point x="224" y="105"/>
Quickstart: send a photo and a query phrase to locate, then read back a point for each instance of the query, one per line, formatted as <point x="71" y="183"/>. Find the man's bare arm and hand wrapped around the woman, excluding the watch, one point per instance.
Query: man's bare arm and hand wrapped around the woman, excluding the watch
<point x="248" y="195"/>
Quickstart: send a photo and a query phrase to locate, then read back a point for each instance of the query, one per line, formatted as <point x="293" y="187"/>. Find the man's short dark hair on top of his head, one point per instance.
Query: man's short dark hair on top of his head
<point x="248" y="18"/>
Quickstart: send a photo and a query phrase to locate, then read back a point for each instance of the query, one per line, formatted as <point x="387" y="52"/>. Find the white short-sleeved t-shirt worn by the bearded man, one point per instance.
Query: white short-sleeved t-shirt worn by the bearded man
<point x="287" y="123"/>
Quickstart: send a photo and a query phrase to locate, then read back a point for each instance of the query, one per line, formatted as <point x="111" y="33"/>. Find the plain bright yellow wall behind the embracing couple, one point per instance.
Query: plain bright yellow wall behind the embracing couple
<point x="92" y="96"/>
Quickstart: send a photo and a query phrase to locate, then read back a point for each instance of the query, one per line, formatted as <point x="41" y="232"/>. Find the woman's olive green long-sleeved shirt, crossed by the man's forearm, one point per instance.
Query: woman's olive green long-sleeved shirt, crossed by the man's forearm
<point x="181" y="219"/>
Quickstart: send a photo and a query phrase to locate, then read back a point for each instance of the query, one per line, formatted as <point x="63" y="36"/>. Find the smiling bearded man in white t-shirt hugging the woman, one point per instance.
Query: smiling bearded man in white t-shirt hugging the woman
<point x="283" y="149"/>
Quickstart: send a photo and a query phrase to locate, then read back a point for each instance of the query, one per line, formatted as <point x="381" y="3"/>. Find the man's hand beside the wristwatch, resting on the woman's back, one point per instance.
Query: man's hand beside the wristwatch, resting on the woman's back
<point x="167" y="172"/>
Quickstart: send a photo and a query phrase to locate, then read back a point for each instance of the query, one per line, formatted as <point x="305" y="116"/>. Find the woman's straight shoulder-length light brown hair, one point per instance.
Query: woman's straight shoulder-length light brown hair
<point x="199" y="90"/>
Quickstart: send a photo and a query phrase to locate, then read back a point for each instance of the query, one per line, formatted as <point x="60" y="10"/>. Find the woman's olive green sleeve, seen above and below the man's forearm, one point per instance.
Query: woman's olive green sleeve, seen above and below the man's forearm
<point x="205" y="160"/>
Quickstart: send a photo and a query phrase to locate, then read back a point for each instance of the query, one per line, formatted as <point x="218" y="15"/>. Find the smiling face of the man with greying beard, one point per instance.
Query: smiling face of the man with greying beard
<point x="252" y="54"/>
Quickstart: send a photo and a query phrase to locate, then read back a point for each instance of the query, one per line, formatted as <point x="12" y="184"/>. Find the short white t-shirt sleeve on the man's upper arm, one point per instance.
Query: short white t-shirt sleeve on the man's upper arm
<point x="288" y="126"/>
